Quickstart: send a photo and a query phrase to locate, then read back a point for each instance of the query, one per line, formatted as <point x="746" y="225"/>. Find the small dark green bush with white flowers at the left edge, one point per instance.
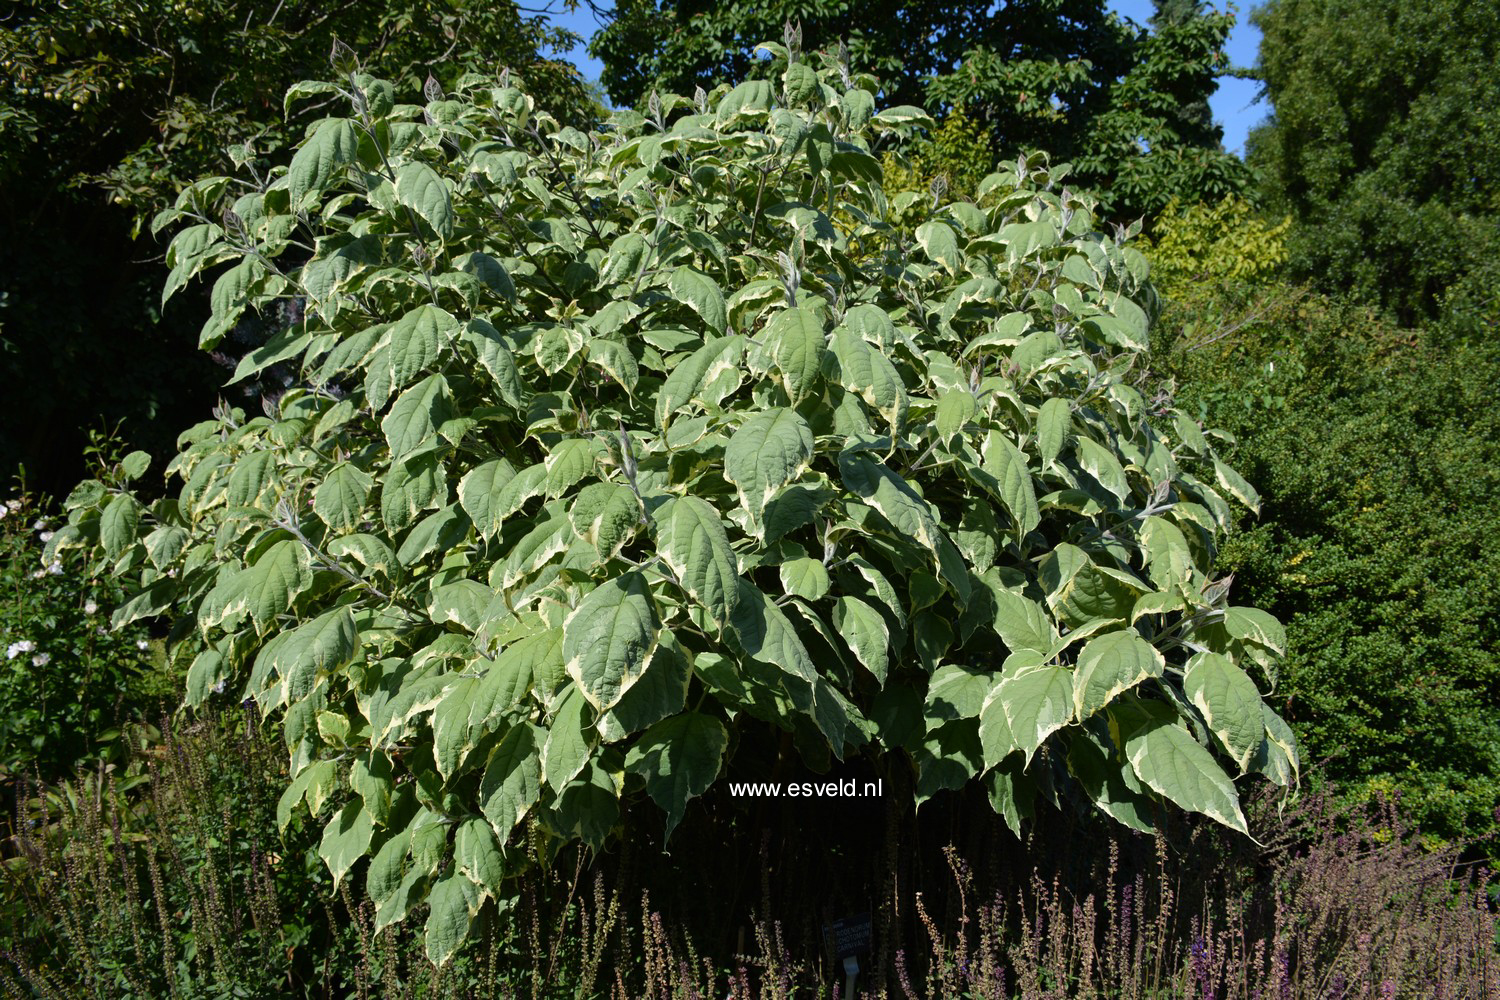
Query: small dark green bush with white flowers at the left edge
<point x="65" y="680"/>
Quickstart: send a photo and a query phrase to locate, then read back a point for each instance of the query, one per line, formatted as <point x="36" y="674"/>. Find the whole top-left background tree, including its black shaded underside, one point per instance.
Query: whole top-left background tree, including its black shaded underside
<point x="107" y="109"/>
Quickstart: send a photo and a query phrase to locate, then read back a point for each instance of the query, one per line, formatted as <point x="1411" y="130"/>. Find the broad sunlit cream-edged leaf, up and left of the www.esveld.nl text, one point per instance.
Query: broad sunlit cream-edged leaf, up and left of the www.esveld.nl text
<point x="608" y="638"/>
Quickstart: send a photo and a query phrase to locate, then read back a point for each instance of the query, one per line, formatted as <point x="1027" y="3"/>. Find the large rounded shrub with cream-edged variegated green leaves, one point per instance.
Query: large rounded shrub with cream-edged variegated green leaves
<point x="608" y="451"/>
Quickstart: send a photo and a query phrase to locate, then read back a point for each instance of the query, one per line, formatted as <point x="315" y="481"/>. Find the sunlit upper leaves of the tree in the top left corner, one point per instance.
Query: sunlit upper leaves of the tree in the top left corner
<point x="142" y="100"/>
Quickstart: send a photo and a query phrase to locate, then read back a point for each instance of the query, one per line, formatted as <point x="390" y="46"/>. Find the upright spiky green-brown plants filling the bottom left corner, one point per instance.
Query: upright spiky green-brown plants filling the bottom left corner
<point x="170" y="881"/>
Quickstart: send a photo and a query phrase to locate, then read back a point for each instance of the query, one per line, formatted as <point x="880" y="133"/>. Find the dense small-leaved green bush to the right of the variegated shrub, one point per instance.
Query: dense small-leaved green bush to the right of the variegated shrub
<point x="1376" y="454"/>
